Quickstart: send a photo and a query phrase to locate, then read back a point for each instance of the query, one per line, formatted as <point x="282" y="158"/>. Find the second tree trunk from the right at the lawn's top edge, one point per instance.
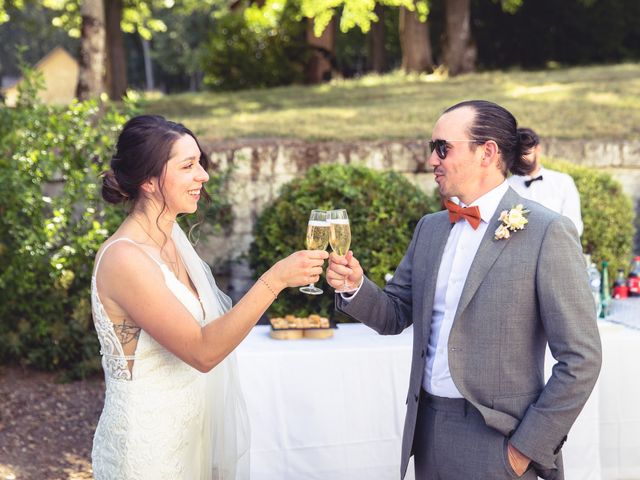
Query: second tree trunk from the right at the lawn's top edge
<point x="415" y="43"/>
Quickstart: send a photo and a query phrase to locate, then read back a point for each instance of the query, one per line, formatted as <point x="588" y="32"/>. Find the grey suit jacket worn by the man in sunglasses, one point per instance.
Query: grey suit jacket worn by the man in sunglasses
<point x="520" y="293"/>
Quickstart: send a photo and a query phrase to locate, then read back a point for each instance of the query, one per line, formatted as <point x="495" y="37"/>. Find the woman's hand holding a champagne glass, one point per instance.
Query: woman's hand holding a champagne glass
<point x="299" y="268"/>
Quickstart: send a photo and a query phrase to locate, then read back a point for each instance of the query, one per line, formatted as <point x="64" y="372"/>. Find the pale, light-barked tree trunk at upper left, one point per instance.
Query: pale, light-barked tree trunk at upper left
<point x="92" y="50"/>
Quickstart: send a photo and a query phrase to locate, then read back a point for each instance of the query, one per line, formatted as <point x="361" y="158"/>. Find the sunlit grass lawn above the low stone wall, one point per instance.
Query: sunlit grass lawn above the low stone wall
<point x="599" y="102"/>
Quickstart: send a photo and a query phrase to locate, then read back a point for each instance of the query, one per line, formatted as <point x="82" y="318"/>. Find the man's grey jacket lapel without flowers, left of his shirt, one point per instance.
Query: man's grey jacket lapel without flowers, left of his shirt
<point x="439" y="235"/>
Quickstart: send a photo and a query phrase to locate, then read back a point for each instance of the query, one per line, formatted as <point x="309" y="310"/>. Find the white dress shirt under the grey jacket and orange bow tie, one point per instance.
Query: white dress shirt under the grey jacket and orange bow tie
<point x="459" y="252"/>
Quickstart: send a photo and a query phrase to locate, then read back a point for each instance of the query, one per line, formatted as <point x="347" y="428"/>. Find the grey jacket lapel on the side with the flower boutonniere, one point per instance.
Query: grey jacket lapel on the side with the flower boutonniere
<point x="487" y="254"/>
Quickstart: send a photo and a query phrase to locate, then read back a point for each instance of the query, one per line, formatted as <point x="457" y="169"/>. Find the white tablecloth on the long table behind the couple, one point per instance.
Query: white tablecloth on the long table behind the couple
<point x="334" y="409"/>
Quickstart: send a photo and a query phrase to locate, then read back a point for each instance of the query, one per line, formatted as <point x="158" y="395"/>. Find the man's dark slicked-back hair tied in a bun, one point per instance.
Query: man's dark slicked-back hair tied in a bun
<point x="493" y="122"/>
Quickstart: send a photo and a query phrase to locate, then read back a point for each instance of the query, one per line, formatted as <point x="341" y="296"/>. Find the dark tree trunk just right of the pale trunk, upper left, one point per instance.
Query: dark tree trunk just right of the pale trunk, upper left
<point x="116" y="58"/>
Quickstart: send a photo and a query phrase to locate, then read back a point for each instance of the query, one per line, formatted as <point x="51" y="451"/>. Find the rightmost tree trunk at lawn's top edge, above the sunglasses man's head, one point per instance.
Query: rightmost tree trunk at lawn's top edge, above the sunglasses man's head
<point x="459" y="49"/>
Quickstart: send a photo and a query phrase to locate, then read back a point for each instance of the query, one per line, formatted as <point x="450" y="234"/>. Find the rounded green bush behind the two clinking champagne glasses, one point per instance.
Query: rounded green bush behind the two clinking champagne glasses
<point x="383" y="209"/>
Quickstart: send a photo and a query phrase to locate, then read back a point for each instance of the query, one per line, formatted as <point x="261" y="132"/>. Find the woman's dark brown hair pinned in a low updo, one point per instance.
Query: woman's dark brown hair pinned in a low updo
<point x="142" y="152"/>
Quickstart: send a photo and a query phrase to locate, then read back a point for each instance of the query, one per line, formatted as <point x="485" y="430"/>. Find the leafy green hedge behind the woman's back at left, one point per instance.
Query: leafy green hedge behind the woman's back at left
<point x="52" y="222"/>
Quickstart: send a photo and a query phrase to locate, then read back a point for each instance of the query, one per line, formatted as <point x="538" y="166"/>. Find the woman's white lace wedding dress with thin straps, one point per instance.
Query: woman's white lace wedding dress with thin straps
<point x="163" y="419"/>
